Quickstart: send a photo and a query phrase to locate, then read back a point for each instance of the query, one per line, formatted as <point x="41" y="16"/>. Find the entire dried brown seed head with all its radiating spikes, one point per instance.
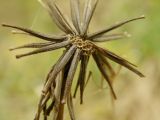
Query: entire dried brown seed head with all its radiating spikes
<point x="78" y="46"/>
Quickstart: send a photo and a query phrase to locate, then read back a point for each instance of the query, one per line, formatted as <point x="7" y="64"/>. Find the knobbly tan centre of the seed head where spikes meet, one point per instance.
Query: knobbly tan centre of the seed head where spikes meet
<point x="85" y="45"/>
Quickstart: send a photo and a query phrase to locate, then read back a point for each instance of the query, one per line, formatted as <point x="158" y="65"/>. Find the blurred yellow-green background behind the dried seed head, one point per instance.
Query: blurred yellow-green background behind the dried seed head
<point x="21" y="80"/>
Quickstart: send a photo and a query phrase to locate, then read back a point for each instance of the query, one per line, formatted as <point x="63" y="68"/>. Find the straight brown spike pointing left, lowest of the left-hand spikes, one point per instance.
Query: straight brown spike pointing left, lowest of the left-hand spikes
<point x="45" y="49"/>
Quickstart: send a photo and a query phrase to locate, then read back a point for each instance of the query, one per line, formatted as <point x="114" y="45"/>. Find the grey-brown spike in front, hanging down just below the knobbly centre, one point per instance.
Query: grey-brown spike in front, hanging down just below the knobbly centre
<point x="71" y="74"/>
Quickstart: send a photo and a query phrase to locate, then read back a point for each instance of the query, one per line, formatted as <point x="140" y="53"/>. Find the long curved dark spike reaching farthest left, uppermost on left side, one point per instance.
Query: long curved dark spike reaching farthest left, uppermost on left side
<point x="51" y="38"/>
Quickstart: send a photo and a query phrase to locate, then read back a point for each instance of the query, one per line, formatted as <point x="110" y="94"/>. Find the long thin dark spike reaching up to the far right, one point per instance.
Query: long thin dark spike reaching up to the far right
<point x="101" y="32"/>
